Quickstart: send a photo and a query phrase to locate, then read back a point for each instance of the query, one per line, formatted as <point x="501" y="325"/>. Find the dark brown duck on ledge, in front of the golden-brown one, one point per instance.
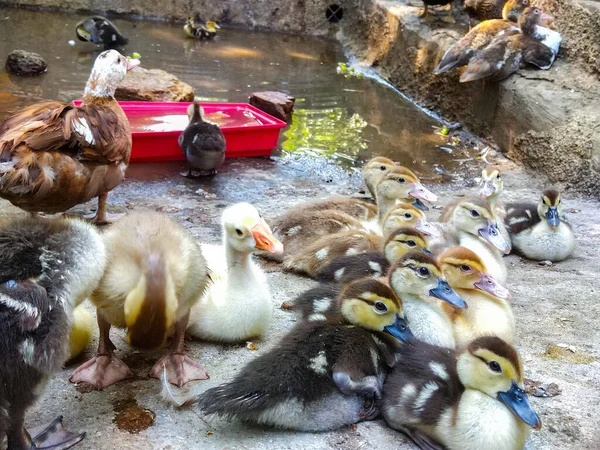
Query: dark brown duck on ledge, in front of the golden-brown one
<point x="505" y="54"/>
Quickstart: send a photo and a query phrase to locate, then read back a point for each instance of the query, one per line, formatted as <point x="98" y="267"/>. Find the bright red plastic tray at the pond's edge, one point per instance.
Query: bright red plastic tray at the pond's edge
<point x="257" y="139"/>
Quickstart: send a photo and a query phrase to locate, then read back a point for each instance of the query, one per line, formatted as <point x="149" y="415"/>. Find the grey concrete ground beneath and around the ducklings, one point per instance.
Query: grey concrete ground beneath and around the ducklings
<point x="554" y="306"/>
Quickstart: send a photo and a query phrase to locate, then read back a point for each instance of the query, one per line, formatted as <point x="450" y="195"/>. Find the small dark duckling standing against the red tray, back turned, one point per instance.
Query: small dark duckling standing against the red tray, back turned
<point x="202" y="142"/>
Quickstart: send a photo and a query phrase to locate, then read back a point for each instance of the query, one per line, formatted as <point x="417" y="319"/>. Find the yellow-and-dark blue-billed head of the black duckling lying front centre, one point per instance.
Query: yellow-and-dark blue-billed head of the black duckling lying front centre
<point x="372" y="305"/>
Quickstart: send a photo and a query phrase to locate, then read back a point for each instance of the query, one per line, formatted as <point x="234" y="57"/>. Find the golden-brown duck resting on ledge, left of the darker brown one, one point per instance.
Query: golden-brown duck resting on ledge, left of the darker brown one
<point x="480" y="36"/>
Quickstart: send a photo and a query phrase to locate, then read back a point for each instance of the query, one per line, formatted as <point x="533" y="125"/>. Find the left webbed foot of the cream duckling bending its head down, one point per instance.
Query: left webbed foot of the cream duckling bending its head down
<point x="101" y="371"/>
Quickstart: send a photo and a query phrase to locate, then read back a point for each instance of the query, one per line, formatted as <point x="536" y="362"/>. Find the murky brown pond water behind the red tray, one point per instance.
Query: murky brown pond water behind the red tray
<point x="344" y="119"/>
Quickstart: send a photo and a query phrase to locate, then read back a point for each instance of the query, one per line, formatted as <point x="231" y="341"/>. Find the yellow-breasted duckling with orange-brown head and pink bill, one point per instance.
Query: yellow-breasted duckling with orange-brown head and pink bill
<point x="489" y="311"/>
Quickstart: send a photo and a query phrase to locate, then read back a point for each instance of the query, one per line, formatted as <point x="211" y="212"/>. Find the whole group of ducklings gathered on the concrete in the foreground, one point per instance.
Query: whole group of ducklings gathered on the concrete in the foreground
<point x="410" y="321"/>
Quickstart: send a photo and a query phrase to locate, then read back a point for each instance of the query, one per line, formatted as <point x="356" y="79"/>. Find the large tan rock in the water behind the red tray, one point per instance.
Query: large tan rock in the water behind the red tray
<point x="154" y="85"/>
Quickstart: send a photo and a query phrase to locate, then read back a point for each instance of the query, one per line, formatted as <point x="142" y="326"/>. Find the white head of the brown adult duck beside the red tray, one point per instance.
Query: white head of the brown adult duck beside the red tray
<point x="110" y="68"/>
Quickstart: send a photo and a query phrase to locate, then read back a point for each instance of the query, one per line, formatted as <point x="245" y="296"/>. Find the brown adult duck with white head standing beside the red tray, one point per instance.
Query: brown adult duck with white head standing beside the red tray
<point x="54" y="155"/>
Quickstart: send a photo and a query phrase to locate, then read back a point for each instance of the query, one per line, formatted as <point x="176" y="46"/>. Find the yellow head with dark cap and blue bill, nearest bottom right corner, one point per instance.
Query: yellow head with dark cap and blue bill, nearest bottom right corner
<point x="493" y="367"/>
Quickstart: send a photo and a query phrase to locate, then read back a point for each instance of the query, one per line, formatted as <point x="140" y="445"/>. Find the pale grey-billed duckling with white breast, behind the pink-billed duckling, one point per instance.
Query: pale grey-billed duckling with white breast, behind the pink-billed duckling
<point x="473" y="225"/>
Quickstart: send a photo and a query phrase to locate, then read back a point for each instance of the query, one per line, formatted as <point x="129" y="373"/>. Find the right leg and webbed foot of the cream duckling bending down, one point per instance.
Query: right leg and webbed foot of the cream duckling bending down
<point x="180" y="368"/>
